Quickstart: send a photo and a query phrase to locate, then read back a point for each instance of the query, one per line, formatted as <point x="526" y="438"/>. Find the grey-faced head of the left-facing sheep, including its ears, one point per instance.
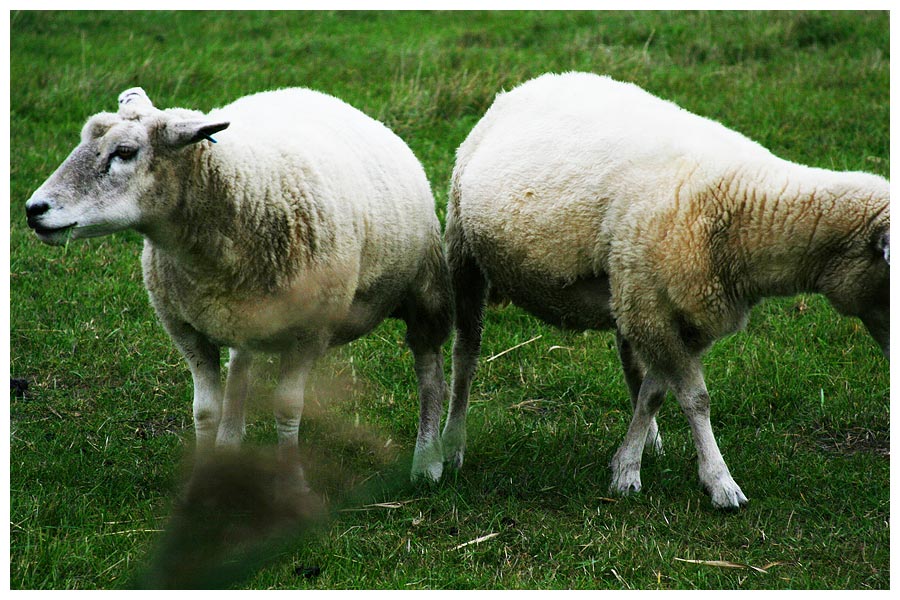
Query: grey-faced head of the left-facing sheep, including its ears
<point x="107" y="183"/>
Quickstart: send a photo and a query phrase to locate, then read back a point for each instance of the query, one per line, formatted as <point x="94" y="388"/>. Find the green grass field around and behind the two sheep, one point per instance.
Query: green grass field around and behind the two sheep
<point x="800" y="399"/>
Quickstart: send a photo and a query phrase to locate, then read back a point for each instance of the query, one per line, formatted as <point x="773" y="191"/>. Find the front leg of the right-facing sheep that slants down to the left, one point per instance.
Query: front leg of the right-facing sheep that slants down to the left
<point x="626" y="463"/>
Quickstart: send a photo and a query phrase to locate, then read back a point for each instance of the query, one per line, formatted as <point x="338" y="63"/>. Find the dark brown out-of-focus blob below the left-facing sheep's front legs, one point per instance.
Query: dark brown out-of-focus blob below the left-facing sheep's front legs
<point x="236" y="513"/>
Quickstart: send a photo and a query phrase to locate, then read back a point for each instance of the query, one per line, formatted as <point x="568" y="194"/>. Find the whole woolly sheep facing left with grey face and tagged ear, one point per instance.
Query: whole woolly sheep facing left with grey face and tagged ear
<point x="302" y="227"/>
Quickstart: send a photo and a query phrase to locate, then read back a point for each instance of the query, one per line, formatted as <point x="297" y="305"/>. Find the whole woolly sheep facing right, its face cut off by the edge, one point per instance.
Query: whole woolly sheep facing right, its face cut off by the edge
<point x="593" y="204"/>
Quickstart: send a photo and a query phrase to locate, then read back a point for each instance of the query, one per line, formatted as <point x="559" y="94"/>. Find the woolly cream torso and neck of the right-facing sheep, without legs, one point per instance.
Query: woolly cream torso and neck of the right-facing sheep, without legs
<point x="579" y="183"/>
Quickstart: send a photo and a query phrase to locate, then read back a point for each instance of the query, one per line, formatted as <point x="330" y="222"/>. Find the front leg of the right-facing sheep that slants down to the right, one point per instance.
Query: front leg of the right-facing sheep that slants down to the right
<point x="714" y="474"/>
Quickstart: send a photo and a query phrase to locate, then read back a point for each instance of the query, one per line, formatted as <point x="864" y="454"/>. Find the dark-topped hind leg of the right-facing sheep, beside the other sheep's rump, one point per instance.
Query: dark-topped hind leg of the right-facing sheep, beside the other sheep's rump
<point x="469" y="292"/>
